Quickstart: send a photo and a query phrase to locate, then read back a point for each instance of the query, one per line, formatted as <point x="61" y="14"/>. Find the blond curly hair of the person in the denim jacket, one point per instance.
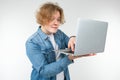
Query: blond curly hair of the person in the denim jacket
<point x="46" y="11"/>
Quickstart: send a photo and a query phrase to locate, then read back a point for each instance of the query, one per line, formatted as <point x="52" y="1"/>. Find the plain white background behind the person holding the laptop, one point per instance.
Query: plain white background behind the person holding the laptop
<point x="17" y="23"/>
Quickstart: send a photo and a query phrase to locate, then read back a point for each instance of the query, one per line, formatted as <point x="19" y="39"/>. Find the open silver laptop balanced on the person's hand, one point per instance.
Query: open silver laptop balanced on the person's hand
<point x="90" y="37"/>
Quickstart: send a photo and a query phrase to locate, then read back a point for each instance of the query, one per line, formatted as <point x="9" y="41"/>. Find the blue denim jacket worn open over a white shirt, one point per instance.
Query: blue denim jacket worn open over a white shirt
<point x="40" y="52"/>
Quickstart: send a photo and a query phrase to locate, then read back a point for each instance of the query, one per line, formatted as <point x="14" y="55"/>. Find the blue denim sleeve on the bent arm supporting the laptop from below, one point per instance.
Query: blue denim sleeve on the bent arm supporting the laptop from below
<point x="39" y="61"/>
